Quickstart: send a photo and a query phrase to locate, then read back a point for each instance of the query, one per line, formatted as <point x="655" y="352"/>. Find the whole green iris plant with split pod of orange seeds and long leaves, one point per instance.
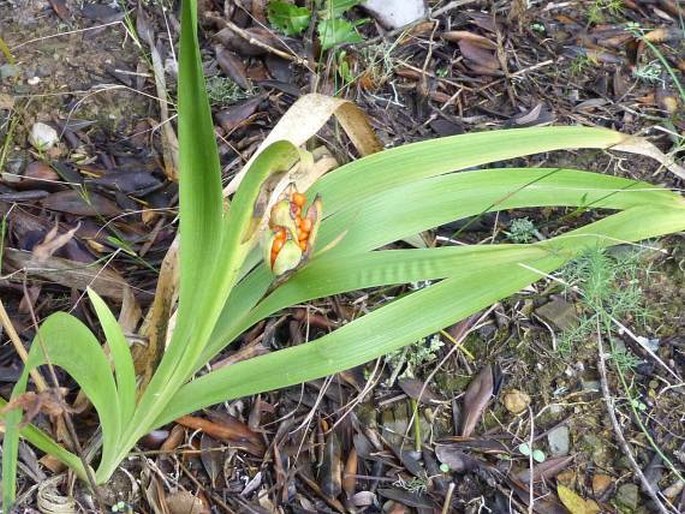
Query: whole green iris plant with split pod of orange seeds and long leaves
<point x="227" y="281"/>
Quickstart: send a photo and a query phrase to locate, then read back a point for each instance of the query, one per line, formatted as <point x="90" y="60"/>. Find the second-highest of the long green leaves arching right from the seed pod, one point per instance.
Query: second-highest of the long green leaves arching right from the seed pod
<point x="428" y="203"/>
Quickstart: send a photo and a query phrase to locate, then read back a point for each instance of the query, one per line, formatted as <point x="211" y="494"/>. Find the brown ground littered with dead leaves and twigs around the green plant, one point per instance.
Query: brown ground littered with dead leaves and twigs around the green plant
<point x="532" y="362"/>
